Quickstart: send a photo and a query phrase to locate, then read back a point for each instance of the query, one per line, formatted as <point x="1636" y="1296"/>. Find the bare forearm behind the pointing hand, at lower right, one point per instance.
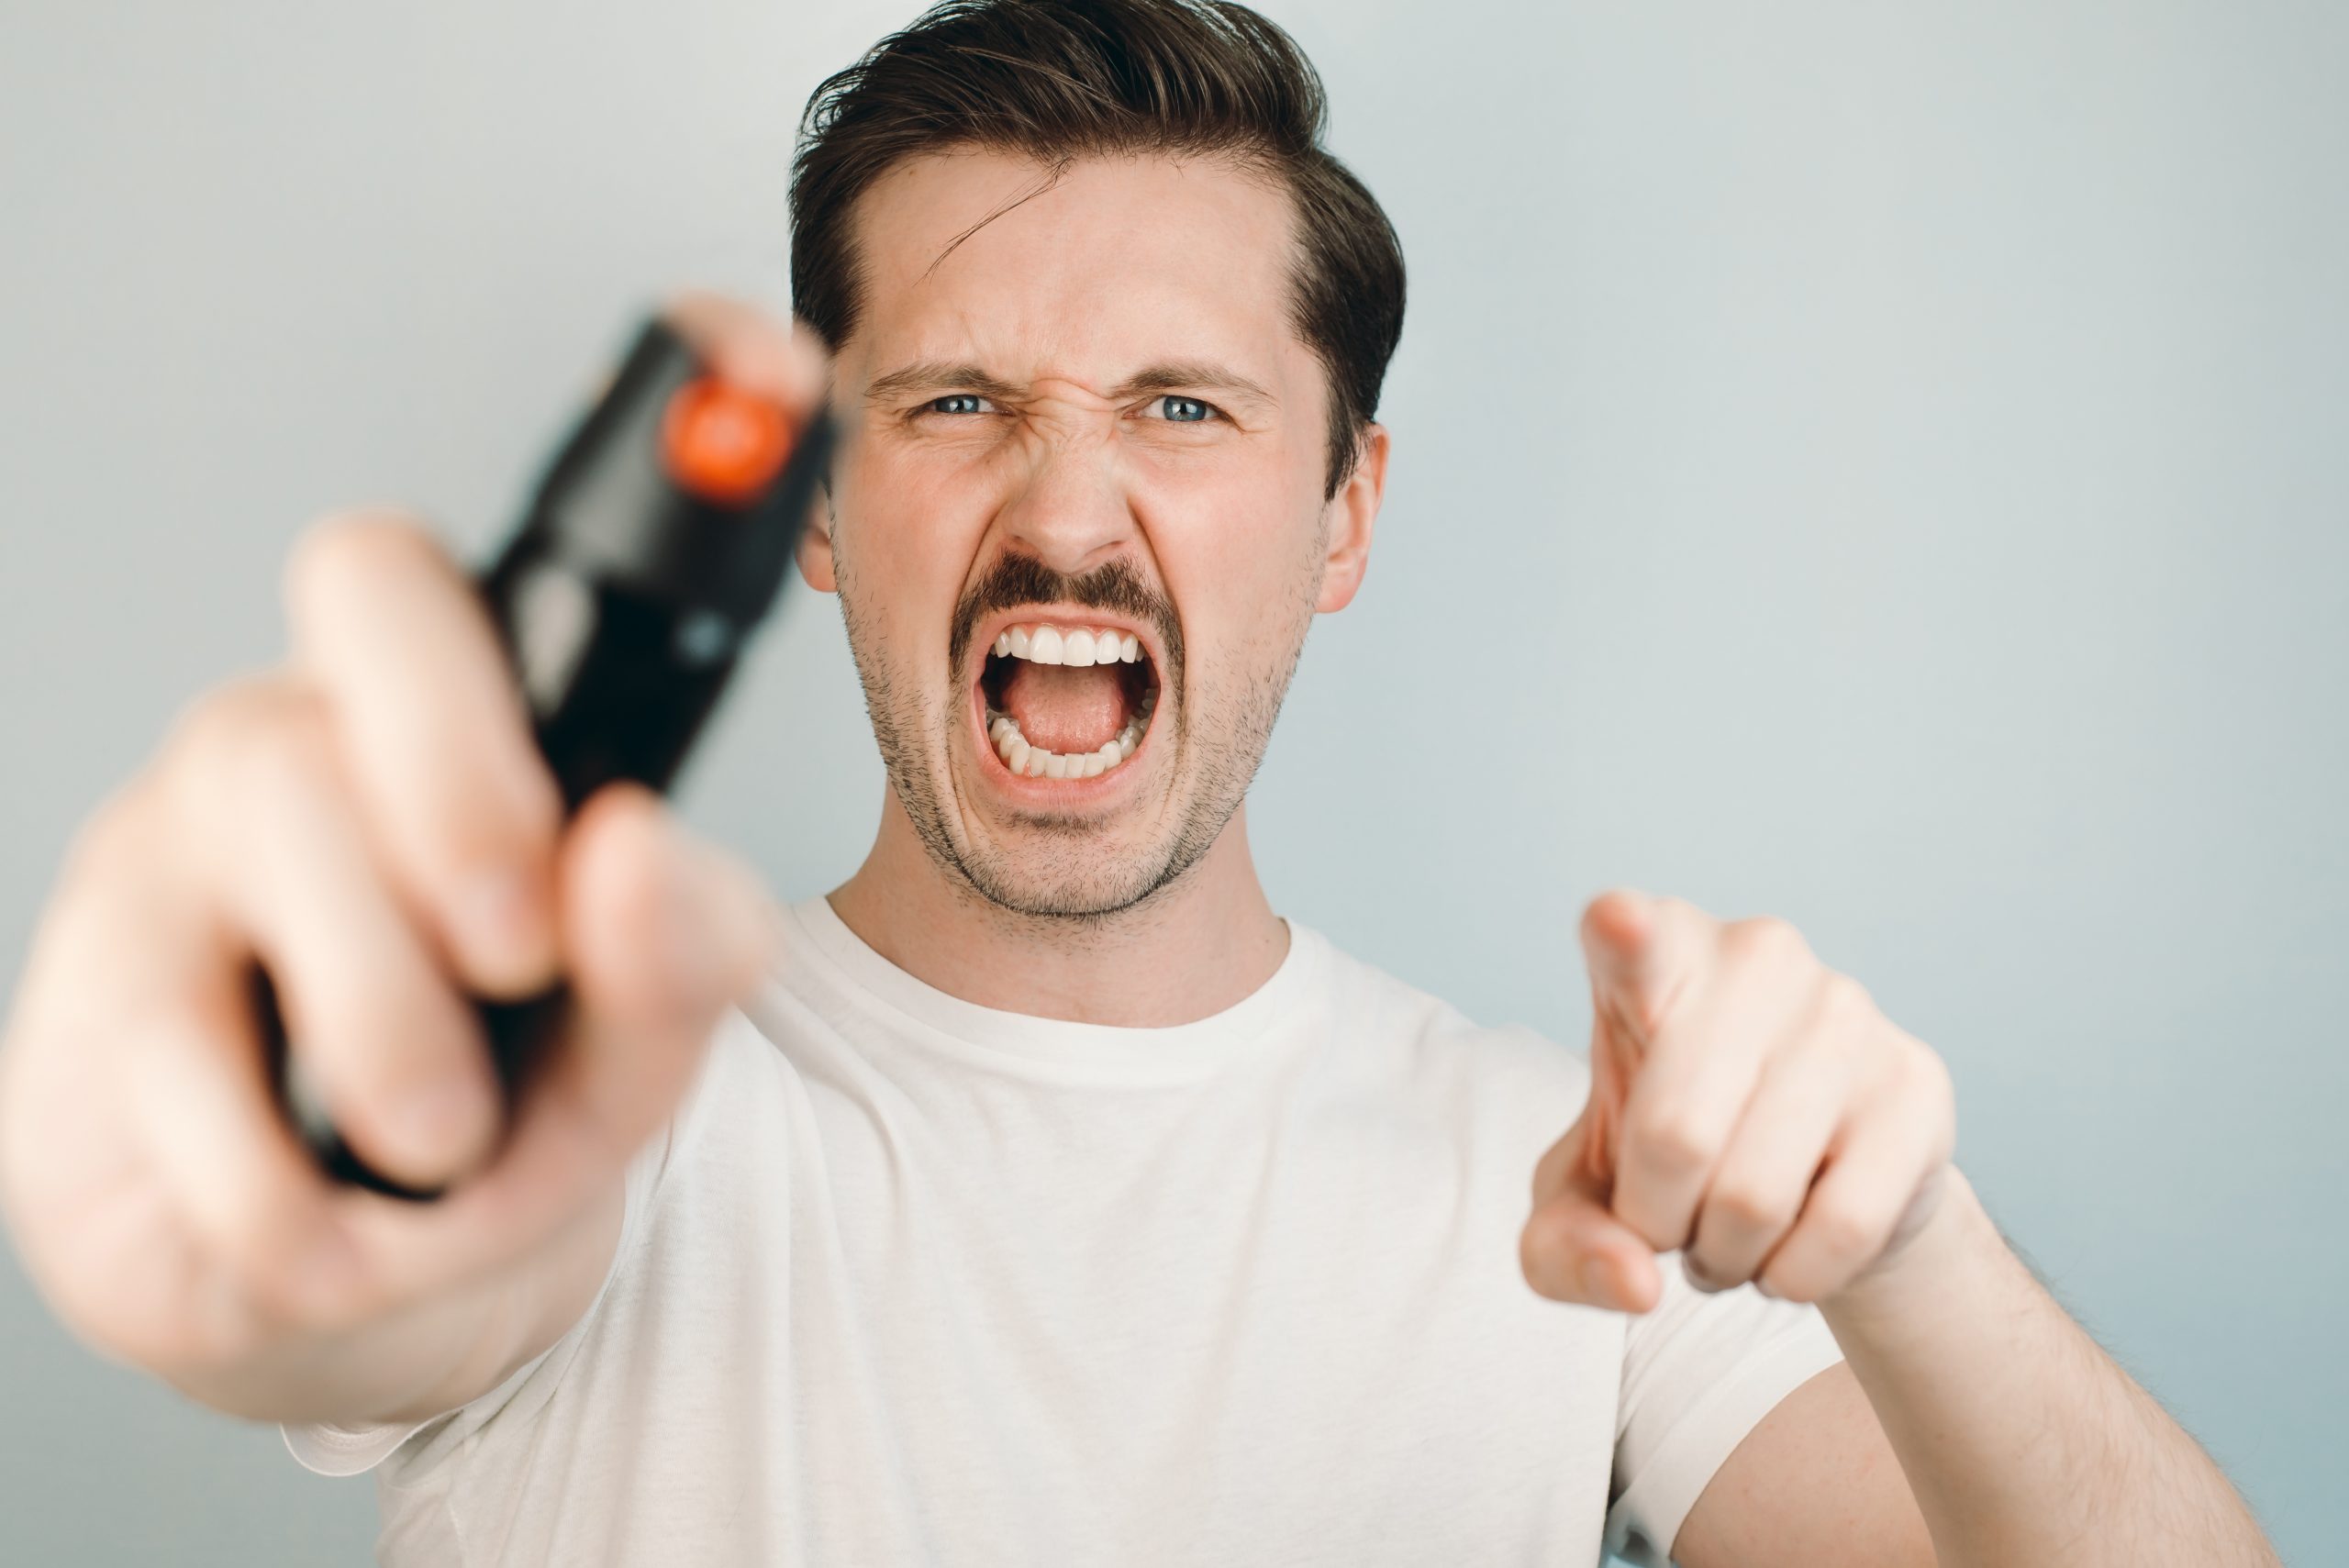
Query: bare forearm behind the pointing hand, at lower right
<point x="2017" y="1433"/>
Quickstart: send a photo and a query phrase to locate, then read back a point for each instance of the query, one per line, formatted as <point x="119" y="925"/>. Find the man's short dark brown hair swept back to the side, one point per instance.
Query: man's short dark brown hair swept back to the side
<point x="1084" y="79"/>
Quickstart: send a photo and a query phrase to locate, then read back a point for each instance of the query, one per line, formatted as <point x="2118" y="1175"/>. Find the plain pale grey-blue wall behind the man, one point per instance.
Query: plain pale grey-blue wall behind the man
<point x="1869" y="464"/>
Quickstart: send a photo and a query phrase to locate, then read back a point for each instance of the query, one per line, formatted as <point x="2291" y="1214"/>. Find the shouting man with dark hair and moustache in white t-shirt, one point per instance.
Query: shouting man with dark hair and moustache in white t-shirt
<point x="1049" y="1198"/>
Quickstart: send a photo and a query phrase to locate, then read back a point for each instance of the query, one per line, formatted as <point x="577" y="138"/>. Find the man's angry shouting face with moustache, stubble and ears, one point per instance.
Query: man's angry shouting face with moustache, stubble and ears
<point x="1084" y="424"/>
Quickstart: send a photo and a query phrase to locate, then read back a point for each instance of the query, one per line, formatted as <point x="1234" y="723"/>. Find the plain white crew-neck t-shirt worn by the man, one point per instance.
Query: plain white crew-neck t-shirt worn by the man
<point x="910" y="1280"/>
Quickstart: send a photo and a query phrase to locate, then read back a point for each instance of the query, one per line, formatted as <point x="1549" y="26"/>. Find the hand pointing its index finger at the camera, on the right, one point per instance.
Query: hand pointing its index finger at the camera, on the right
<point x="1749" y="1107"/>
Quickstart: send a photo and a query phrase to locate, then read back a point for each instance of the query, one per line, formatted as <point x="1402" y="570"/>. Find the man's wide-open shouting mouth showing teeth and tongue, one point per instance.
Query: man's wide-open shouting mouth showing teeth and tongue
<point x="1068" y="701"/>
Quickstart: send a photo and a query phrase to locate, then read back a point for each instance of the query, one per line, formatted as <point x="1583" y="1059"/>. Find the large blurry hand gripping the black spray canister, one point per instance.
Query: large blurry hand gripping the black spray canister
<point x="377" y="827"/>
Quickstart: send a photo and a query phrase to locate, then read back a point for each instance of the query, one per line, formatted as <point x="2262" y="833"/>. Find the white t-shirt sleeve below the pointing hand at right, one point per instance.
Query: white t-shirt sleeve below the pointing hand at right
<point x="1700" y="1374"/>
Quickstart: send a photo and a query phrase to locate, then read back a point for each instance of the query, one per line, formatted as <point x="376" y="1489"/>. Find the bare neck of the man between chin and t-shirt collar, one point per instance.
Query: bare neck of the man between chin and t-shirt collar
<point x="1185" y="954"/>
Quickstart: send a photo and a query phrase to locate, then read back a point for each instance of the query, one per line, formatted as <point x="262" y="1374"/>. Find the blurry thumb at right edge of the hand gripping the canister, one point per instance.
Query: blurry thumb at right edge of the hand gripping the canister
<point x="664" y="935"/>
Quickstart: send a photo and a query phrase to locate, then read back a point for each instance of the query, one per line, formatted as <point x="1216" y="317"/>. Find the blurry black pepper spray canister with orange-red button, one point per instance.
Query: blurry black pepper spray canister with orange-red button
<point x="654" y="546"/>
